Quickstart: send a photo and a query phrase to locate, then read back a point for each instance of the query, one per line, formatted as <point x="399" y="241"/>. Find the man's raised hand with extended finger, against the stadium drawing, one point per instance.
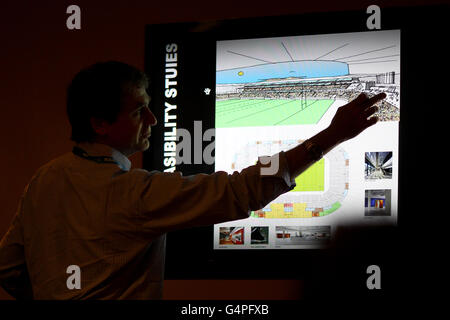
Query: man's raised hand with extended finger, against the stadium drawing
<point x="352" y="118"/>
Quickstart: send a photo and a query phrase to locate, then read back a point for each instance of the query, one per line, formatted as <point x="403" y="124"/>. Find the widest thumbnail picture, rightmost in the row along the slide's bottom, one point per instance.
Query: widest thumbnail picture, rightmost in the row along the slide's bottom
<point x="302" y="235"/>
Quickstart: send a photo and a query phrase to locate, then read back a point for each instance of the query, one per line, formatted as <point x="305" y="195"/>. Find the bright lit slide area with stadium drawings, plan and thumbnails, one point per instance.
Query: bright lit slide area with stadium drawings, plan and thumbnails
<point x="272" y="94"/>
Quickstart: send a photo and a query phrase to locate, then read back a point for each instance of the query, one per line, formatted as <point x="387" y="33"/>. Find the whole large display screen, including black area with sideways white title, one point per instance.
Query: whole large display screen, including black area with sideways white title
<point x="227" y="92"/>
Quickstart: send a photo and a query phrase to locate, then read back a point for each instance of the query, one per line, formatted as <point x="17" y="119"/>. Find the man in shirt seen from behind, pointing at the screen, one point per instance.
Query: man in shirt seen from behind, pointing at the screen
<point x="88" y="210"/>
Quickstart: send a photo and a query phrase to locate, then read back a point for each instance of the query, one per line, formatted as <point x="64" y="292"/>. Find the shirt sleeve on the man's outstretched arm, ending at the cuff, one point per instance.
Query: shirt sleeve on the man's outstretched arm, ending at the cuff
<point x="169" y="201"/>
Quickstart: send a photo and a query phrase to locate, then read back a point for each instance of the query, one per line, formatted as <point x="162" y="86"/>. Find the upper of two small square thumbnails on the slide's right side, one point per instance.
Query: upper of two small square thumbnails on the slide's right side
<point x="378" y="165"/>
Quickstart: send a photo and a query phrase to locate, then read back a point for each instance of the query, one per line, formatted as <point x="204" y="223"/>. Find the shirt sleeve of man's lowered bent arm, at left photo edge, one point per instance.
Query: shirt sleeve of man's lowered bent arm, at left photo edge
<point x="14" y="276"/>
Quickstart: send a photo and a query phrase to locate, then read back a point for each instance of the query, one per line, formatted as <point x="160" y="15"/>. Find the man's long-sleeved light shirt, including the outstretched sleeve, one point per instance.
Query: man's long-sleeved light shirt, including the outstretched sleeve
<point x="111" y="221"/>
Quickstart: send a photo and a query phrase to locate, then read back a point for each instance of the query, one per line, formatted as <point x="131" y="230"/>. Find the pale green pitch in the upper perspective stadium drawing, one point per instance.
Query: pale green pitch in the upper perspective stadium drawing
<point x="252" y="112"/>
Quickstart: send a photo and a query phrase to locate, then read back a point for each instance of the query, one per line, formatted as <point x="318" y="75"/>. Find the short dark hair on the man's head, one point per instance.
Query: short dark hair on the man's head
<point x="97" y="92"/>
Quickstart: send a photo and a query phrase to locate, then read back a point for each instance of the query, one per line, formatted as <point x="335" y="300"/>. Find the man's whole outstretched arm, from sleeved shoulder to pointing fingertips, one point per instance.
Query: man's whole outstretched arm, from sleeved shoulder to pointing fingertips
<point x="169" y="201"/>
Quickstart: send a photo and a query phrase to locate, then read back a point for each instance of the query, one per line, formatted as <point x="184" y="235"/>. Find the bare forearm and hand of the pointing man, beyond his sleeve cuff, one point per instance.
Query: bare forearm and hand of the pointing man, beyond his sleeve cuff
<point x="349" y="121"/>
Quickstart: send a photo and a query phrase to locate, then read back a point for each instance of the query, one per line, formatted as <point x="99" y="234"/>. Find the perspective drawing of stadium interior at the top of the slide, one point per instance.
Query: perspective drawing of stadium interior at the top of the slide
<point x="294" y="80"/>
